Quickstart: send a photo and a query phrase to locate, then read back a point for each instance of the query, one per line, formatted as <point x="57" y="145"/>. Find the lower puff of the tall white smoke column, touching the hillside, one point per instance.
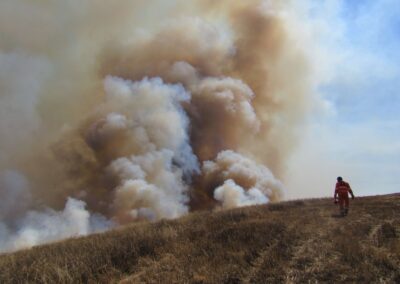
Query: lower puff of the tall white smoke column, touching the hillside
<point x="152" y="184"/>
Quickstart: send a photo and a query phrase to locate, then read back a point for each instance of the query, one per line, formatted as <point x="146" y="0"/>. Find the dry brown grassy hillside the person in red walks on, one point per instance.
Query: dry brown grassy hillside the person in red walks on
<point x="290" y="242"/>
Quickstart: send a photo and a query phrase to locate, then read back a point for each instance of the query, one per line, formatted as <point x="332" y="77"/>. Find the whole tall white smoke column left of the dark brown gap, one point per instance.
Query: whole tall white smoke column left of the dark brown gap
<point x="151" y="177"/>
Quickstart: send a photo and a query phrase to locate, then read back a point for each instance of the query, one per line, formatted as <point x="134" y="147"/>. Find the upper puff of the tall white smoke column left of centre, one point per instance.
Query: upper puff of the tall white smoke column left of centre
<point x="150" y="113"/>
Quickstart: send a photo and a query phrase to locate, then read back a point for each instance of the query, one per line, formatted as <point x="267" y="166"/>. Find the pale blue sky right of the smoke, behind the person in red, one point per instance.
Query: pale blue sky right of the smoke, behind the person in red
<point x="357" y="136"/>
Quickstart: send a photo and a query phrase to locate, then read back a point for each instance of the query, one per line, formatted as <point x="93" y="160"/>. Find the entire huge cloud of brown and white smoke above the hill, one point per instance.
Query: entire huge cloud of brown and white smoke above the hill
<point x="116" y="112"/>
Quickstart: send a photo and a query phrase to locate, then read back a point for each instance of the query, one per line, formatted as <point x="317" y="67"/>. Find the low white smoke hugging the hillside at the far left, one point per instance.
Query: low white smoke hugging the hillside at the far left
<point x="23" y="227"/>
